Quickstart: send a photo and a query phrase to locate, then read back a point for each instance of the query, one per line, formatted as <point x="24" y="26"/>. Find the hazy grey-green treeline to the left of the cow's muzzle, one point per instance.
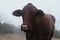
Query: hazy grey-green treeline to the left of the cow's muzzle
<point x="8" y="29"/>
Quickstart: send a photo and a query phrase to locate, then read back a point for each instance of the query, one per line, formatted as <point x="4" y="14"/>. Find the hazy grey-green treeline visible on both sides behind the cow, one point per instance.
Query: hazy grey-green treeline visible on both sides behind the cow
<point x="11" y="29"/>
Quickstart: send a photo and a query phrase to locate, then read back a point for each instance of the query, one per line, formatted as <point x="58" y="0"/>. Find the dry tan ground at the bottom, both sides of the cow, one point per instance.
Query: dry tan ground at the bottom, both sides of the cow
<point x="15" y="37"/>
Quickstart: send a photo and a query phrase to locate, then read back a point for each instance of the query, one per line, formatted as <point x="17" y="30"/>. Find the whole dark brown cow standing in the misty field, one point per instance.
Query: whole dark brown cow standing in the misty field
<point x="36" y="24"/>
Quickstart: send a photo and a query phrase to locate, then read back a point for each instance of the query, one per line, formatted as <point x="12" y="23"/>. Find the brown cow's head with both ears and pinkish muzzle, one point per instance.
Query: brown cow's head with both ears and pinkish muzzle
<point x="28" y="13"/>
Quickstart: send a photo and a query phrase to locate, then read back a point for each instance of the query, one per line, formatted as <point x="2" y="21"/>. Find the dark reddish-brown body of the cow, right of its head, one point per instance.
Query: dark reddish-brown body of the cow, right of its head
<point x="44" y="26"/>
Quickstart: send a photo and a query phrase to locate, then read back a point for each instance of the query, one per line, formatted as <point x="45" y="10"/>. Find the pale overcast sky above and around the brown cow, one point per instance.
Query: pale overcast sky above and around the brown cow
<point x="48" y="6"/>
